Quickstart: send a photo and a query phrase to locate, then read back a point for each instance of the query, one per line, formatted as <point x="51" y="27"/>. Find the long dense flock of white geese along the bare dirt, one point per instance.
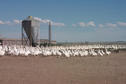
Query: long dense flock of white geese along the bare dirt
<point x="67" y="51"/>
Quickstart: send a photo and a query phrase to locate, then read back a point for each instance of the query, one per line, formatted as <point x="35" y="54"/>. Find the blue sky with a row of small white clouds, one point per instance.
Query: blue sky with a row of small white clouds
<point x="73" y="20"/>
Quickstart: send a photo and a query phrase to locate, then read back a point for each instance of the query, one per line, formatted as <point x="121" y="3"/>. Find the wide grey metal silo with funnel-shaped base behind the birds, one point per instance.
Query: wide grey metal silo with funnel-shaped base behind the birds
<point x="31" y="27"/>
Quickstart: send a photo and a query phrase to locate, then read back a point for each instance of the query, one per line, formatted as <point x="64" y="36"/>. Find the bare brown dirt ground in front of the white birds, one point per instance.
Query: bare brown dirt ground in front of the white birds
<point x="52" y="70"/>
